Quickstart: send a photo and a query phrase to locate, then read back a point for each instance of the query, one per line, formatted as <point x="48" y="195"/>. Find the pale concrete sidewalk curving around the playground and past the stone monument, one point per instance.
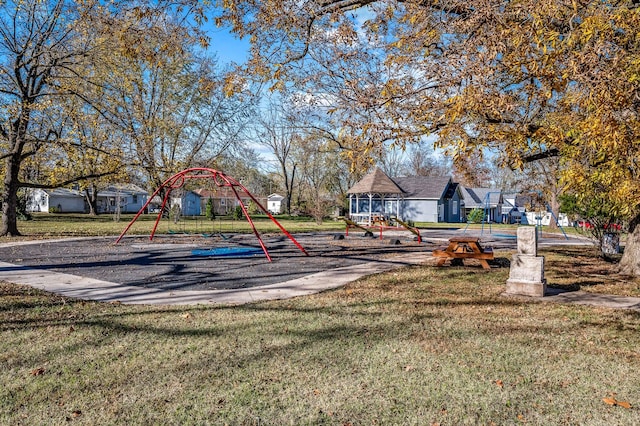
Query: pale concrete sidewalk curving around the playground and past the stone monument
<point x="105" y="291"/>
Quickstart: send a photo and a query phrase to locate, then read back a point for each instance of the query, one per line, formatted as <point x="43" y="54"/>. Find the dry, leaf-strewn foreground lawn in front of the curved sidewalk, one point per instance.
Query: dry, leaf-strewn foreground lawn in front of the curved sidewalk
<point x="417" y="346"/>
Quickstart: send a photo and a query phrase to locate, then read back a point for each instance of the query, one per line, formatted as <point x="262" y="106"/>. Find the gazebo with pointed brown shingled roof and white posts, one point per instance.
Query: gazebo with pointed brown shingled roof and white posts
<point x="376" y="197"/>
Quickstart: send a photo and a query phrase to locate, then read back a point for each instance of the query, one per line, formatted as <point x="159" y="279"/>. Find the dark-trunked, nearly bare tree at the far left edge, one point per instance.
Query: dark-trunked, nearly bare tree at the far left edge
<point x="38" y="46"/>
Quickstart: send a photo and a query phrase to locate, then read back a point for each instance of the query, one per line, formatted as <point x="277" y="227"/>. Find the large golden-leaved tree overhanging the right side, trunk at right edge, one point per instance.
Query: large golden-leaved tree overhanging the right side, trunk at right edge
<point x="531" y="79"/>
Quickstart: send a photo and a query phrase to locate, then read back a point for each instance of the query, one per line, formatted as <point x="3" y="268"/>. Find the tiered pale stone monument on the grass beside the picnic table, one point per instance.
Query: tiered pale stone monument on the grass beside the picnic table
<point x="526" y="276"/>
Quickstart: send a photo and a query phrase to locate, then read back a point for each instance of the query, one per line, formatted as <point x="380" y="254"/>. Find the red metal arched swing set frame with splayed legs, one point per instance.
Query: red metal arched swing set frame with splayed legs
<point x="220" y="180"/>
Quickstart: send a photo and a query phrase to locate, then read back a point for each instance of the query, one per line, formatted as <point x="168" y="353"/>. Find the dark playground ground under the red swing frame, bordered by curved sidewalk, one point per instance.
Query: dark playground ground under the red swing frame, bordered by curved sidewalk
<point x="180" y="262"/>
